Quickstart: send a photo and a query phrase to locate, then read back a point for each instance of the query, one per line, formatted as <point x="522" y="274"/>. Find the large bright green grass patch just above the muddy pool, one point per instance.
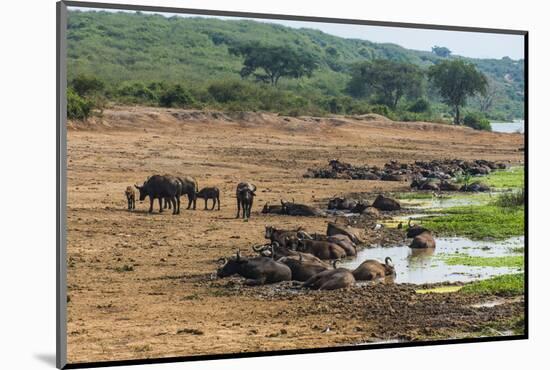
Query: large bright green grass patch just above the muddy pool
<point x="478" y="222"/>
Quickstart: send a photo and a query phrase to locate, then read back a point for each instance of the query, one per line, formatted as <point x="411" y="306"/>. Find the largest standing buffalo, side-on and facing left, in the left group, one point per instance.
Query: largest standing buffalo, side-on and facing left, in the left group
<point x="161" y="187"/>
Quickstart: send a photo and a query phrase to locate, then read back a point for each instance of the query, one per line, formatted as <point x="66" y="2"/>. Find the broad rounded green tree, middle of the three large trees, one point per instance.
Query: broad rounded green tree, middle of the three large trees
<point x="389" y="80"/>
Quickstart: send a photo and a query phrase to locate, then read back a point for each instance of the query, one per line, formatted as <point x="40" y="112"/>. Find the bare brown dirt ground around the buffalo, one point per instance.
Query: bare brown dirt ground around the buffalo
<point x="142" y="285"/>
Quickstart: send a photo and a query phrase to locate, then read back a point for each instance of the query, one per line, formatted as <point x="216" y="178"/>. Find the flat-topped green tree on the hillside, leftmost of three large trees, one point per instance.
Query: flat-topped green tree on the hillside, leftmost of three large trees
<point x="274" y="62"/>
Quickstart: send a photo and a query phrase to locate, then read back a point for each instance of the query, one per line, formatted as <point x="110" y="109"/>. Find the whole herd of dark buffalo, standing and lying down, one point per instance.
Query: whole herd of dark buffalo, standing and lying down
<point x="311" y="258"/>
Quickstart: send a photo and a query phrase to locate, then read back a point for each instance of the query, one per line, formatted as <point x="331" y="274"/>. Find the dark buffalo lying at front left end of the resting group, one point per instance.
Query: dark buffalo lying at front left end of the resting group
<point x="257" y="270"/>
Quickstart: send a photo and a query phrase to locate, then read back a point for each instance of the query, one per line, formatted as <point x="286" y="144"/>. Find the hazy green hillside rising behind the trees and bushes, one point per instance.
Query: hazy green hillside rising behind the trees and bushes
<point x="121" y="49"/>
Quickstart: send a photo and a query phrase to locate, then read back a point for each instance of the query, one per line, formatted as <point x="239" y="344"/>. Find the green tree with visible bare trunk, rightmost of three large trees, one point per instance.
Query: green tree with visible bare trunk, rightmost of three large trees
<point x="457" y="80"/>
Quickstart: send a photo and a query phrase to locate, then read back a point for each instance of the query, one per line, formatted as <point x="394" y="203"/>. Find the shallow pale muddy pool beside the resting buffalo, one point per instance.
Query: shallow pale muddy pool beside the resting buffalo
<point x="428" y="266"/>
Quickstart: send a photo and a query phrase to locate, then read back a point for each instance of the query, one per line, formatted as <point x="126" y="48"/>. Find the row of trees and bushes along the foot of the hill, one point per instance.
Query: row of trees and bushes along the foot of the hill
<point x="378" y="86"/>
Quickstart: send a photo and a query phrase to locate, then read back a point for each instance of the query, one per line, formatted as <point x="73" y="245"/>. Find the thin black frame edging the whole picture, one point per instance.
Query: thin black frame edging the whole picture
<point x="61" y="191"/>
